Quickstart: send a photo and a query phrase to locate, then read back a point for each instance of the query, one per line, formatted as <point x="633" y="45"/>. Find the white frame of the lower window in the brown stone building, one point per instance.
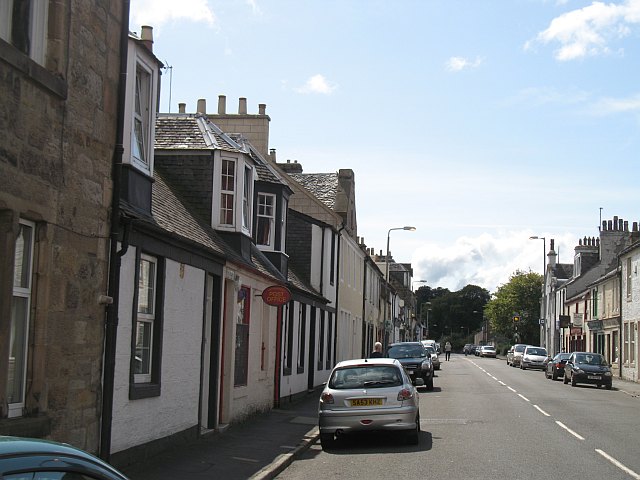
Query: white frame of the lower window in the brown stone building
<point x="16" y="408"/>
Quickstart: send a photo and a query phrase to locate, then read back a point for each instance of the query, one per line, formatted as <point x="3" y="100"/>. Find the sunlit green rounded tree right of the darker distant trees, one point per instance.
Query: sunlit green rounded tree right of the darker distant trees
<point x="520" y="297"/>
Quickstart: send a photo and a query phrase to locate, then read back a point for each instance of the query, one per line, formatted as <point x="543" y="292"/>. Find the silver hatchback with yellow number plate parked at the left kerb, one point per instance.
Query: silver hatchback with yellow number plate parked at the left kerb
<point x="368" y="396"/>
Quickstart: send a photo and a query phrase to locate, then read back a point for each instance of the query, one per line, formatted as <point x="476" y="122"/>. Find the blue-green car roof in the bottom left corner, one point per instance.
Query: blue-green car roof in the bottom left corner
<point x="30" y="458"/>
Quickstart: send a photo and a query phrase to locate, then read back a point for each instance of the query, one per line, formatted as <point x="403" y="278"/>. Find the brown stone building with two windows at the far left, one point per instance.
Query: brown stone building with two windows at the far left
<point x="59" y="91"/>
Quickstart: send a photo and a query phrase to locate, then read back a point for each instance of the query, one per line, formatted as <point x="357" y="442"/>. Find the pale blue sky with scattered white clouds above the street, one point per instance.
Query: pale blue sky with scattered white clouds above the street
<point x="481" y="123"/>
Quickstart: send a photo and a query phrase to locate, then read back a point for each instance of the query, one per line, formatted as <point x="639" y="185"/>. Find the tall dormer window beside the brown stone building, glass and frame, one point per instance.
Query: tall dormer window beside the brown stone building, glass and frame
<point x="142" y="117"/>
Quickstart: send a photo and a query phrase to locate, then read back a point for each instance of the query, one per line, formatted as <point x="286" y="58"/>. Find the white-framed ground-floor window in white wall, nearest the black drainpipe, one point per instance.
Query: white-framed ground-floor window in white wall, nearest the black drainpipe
<point x="147" y="280"/>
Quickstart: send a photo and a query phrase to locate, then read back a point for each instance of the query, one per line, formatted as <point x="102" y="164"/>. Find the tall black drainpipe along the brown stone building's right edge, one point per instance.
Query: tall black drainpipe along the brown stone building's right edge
<point x="111" y="323"/>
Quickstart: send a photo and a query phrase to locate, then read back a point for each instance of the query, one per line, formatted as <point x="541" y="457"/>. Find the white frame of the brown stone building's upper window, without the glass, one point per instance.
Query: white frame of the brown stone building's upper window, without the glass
<point x="38" y="24"/>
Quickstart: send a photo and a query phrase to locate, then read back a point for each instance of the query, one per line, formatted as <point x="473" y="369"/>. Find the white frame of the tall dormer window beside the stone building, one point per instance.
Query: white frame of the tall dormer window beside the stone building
<point x="143" y="92"/>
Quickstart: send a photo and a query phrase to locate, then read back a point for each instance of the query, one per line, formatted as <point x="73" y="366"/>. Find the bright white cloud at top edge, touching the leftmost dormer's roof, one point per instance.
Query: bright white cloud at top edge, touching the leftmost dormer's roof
<point x="159" y="12"/>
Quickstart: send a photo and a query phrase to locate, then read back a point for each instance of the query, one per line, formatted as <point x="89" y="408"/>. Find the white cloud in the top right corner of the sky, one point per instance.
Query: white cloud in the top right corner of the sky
<point x="588" y="31"/>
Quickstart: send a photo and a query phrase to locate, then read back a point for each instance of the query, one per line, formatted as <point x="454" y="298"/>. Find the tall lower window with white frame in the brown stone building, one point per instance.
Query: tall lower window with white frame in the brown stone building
<point x="20" y="306"/>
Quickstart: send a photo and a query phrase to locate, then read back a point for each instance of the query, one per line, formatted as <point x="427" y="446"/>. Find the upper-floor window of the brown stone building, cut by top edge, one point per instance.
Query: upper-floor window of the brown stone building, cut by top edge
<point x="24" y="24"/>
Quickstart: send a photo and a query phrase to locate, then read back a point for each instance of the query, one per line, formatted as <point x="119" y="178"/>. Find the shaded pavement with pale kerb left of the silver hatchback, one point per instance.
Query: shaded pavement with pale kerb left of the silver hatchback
<point x="258" y="448"/>
